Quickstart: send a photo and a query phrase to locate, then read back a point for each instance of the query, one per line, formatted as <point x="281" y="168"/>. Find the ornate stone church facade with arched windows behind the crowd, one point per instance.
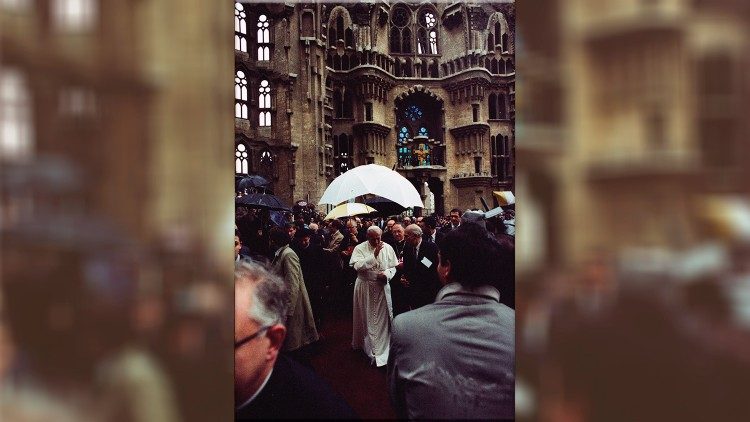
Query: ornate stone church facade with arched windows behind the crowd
<point x="425" y="88"/>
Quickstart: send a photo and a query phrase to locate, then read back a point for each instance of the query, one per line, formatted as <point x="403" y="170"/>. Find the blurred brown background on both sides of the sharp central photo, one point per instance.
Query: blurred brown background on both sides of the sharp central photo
<point x="116" y="179"/>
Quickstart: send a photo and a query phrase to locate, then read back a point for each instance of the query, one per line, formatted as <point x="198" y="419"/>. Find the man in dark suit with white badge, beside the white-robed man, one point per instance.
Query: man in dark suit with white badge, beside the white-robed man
<point x="420" y="268"/>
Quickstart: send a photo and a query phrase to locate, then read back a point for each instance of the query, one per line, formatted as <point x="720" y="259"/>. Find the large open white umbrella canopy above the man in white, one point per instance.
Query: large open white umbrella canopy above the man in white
<point x="372" y="179"/>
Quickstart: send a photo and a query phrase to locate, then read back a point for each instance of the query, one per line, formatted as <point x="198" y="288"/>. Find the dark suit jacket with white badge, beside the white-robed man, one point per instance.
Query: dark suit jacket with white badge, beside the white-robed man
<point x="423" y="281"/>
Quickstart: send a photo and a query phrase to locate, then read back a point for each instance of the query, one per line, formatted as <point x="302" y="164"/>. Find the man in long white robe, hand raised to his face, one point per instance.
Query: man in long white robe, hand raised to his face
<point x="375" y="262"/>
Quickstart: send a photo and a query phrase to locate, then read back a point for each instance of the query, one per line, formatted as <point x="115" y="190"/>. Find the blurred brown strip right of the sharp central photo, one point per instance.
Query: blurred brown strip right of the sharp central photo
<point x="633" y="289"/>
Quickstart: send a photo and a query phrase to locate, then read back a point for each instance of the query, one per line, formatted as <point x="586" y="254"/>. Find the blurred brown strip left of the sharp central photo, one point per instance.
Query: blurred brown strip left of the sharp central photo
<point x="116" y="210"/>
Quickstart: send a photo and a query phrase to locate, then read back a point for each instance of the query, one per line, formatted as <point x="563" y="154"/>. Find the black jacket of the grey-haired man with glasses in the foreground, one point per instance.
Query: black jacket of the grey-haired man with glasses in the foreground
<point x="295" y="392"/>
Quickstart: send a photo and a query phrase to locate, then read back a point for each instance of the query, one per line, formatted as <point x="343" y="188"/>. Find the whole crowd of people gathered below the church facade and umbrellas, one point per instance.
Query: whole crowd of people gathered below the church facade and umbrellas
<point x="431" y="301"/>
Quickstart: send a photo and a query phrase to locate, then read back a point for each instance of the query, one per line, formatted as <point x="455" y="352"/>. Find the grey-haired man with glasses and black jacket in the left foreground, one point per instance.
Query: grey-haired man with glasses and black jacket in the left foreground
<point x="267" y="384"/>
